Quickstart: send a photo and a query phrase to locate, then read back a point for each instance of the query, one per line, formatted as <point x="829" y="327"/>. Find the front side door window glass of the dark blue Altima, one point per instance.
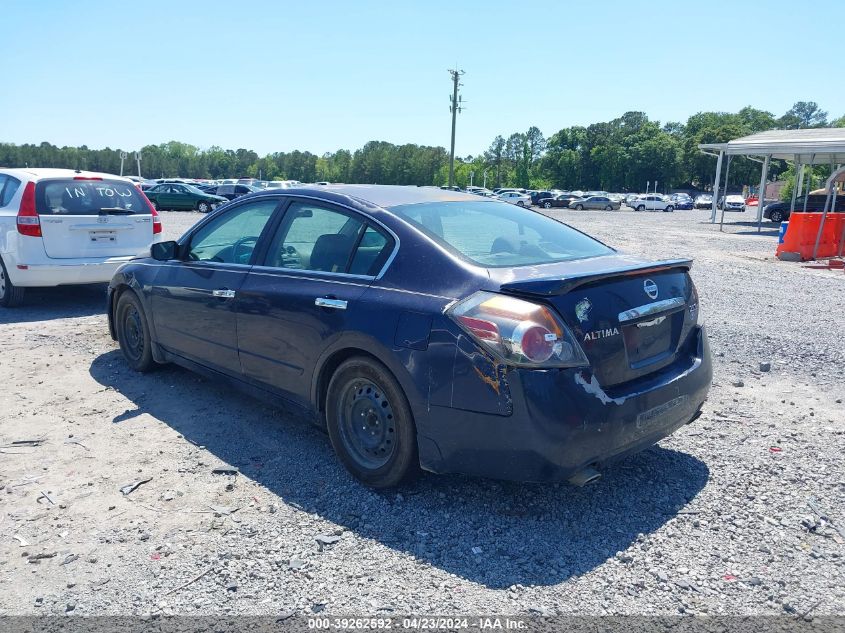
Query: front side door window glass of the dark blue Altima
<point x="231" y="237"/>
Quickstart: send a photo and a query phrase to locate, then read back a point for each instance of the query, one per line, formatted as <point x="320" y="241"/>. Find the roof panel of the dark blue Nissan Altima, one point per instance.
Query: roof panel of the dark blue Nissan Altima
<point x="385" y="196"/>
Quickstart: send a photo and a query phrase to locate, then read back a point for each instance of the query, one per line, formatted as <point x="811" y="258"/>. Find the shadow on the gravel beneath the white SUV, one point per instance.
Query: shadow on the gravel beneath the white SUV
<point x="46" y="304"/>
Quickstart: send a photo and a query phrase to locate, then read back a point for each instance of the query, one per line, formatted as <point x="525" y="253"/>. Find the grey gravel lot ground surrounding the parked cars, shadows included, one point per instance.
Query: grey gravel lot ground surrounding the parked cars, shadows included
<point x="713" y="520"/>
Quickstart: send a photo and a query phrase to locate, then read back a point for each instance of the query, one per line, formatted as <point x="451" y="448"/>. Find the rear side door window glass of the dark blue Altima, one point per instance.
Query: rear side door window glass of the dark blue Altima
<point x="314" y="238"/>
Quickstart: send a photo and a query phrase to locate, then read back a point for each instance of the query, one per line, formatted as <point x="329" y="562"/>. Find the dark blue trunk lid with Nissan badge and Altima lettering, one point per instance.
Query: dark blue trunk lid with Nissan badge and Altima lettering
<point x="631" y="317"/>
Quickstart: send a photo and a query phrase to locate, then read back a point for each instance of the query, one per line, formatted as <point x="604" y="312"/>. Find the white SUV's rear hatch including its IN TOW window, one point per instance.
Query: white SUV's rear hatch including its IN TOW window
<point x="92" y="217"/>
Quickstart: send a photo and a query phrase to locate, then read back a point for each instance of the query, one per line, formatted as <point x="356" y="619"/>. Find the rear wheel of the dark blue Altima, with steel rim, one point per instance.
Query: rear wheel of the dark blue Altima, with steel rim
<point x="383" y="453"/>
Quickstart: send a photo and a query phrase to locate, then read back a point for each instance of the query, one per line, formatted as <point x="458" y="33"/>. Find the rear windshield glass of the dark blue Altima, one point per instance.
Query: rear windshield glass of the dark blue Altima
<point x="498" y="234"/>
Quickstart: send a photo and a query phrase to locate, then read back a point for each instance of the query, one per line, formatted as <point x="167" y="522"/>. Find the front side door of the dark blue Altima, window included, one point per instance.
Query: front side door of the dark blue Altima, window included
<point x="194" y="299"/>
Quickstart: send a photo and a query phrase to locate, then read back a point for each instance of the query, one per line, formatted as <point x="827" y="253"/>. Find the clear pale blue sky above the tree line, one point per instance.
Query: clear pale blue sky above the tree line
<point x="324" y="75"/>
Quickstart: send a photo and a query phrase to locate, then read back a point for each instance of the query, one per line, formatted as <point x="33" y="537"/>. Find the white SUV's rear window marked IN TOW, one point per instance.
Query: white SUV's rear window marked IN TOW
<point x="88" y="197"/>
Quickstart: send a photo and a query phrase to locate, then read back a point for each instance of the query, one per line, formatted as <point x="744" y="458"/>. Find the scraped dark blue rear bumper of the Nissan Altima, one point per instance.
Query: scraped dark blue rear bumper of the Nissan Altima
<point x="563" y="421"/>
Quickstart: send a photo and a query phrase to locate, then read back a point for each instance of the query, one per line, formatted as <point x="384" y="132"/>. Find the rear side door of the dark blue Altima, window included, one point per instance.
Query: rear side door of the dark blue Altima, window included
<point x="305" y="294"/>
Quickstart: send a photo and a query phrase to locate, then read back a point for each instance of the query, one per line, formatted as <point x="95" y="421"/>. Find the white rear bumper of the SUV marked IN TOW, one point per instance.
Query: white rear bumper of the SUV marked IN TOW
<point x="63" y="272"/>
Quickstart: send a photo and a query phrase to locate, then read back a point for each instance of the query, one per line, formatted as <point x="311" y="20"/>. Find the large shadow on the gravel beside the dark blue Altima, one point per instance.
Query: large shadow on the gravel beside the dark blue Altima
<point x="497" y="534"/>
